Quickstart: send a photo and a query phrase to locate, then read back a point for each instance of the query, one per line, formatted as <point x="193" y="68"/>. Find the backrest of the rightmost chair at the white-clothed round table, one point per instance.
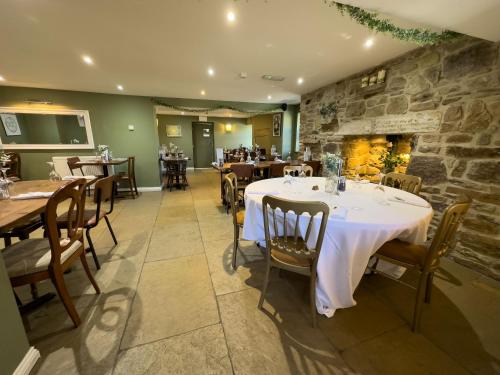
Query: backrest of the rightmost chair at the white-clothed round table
<point x="445" y="233"/>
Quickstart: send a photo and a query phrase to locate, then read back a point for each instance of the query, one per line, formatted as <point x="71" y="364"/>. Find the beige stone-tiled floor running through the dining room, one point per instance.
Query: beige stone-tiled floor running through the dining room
<point x="171" y="303"/>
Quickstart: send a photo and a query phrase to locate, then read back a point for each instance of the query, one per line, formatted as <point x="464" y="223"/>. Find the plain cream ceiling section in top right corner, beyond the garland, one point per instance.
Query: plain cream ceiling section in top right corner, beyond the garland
<point x="479" y="18"/>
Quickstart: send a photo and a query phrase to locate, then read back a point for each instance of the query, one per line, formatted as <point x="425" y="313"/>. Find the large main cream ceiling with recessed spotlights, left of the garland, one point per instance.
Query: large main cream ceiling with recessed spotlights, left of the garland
<point x="164" y="47"/>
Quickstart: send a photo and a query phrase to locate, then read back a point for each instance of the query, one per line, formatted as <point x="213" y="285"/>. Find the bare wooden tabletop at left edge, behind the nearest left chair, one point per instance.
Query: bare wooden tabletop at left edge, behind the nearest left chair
<point x="13" y="212"/>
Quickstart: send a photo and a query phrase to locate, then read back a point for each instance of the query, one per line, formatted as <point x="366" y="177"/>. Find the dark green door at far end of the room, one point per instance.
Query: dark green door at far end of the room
<point x="203" y="144"/>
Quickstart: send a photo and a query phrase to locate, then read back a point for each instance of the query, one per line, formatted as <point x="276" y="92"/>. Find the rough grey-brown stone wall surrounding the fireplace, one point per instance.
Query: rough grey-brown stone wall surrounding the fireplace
<point x="460" y="84"/>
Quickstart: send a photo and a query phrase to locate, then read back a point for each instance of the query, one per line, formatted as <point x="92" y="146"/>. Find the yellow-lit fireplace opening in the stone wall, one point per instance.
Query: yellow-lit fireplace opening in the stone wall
<point x="364" y="155"/>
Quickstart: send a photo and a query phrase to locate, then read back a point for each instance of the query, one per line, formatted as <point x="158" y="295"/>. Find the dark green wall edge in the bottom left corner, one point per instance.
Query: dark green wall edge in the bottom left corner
<point x="13" y="342"/>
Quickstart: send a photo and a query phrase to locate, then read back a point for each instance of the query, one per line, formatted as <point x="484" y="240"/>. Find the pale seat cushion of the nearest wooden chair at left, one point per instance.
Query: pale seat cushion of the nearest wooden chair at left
<point x="32" y="255"/>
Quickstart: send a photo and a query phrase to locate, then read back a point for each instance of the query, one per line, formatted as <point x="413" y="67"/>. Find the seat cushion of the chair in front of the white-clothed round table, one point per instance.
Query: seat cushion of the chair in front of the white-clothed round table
<point x="291" y="253"/>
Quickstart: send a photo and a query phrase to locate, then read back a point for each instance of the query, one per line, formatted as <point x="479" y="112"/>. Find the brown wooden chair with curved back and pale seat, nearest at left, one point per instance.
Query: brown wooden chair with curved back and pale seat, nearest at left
<point x="33" y="260"/>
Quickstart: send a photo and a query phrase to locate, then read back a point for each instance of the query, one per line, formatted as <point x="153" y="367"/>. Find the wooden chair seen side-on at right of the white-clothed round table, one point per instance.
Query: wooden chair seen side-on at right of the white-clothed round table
<point x="424" y="259"/>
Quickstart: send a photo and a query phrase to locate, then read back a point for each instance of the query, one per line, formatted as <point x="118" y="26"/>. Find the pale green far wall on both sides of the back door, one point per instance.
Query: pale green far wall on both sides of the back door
<point x="241" y="132"/>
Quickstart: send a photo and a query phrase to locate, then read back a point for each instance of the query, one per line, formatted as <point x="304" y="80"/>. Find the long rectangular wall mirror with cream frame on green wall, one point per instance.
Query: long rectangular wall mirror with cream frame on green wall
<point x="22" y="128"/>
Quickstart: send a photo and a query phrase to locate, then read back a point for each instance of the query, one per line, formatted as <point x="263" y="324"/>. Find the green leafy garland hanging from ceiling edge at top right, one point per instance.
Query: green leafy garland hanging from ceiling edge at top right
<point x="371" y="20"/>
